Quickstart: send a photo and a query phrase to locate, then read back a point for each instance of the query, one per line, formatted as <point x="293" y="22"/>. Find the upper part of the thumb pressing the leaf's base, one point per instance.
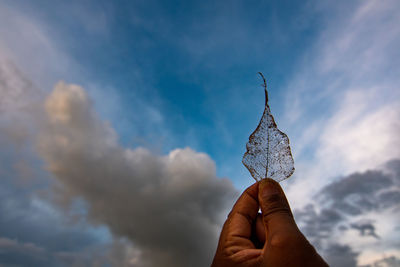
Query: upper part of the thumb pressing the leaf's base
<point x="276" y="213"/>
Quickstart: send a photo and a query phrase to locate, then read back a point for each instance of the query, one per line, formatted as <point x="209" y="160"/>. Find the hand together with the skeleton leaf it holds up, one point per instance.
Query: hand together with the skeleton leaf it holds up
<point x="270" y="238"/>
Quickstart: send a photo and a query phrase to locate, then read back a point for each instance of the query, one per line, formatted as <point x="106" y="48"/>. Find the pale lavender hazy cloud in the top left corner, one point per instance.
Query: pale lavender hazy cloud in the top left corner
<point x="33" y="46"/>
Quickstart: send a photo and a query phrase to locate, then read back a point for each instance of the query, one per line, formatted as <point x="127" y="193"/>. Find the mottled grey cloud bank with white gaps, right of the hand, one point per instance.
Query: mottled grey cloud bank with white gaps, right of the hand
<point x="349" y="217"/>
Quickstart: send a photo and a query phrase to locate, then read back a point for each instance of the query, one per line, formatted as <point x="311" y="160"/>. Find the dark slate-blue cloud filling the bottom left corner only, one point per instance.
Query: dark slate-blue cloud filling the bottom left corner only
<point x="34" y="235"/>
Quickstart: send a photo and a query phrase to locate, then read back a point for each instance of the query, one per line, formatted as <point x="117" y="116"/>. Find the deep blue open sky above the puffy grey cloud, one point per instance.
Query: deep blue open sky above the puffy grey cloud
<point x="192" y="66"/>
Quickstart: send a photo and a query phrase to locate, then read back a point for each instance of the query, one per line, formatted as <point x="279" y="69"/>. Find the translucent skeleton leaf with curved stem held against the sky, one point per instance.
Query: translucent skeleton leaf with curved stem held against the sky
<point x="268" y="152"/>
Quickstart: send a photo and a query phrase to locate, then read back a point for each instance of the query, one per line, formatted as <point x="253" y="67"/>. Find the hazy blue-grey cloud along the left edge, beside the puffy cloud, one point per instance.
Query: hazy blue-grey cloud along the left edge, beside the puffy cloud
<point x="32" y="232"/>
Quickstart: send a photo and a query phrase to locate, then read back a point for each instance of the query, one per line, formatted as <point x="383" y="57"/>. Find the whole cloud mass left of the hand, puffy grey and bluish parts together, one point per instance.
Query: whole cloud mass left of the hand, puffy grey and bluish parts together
<point x="170" y="207"/>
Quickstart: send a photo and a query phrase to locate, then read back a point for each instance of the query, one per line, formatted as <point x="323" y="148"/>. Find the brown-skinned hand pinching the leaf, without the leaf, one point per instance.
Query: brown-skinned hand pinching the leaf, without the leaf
<point x="272" y="238"/>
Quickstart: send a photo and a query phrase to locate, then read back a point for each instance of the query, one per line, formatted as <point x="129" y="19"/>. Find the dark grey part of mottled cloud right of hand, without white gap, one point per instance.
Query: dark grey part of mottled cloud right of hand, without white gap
<point x="340" y="205"/>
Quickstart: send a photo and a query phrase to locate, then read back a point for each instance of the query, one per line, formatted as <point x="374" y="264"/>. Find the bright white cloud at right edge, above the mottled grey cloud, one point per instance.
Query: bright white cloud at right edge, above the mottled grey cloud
<point x="358" y="137"/>
